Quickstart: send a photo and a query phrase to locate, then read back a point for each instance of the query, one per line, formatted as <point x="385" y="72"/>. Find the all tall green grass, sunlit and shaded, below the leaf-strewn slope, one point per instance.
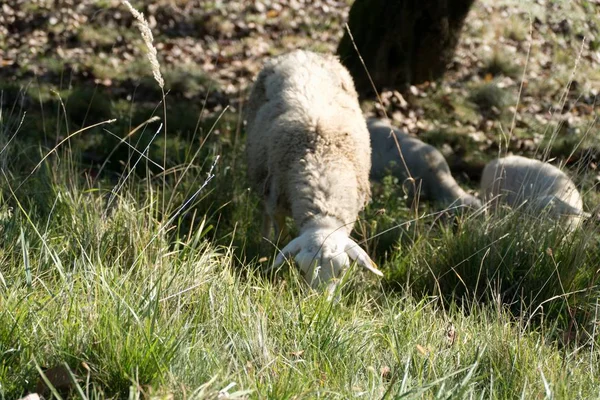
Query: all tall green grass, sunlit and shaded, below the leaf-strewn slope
<point x="140" y="302"/>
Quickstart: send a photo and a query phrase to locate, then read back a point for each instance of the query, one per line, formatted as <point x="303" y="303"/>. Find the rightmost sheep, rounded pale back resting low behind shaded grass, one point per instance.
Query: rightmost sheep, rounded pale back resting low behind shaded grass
<point x="520" y="181"/>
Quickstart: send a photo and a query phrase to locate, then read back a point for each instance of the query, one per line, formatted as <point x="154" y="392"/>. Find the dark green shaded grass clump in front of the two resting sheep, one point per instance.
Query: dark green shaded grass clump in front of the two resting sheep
<point x="531" y="264"/>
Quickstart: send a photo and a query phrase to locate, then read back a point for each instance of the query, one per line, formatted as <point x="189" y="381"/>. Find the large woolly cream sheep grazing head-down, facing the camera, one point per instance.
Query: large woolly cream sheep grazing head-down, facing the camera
<point x="309" y="157"/>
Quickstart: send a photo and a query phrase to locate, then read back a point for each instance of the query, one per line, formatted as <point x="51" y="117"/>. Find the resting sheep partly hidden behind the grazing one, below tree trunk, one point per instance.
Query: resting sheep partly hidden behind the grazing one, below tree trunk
<point x="424" y="162"/>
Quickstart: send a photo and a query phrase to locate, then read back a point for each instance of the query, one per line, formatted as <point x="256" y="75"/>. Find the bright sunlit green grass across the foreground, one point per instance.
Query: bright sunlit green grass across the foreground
<point x="132" y="308"/>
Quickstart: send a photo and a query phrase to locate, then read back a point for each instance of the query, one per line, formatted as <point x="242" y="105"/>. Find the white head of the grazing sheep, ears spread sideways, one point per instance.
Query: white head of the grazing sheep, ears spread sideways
<point x="322" y="256"/>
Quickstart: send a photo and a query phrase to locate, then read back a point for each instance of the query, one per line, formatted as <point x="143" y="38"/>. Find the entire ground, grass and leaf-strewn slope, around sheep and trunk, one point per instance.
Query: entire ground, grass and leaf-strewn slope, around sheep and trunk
<point x="131" y="259"/>
